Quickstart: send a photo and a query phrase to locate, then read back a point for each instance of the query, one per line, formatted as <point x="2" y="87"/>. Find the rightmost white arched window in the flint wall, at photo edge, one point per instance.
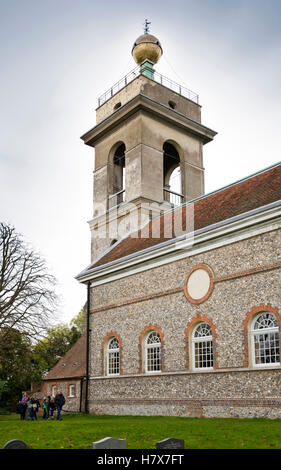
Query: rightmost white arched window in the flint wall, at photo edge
<point x="265" y="340"/>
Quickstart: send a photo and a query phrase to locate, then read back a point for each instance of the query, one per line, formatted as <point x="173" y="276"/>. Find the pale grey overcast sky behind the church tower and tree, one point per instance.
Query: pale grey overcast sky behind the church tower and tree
<point x="57" y="57"/>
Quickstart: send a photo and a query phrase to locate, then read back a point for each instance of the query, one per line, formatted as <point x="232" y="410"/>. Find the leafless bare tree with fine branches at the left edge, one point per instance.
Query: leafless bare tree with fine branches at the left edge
<point x="27" y="295"/>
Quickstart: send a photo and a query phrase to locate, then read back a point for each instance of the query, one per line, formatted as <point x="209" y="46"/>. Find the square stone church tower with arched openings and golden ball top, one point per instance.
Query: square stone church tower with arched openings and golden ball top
<point x="148" y="142"/>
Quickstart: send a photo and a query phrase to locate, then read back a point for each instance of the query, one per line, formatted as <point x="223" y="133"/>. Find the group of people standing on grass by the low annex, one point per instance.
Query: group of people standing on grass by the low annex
<point x="49" y="406"/>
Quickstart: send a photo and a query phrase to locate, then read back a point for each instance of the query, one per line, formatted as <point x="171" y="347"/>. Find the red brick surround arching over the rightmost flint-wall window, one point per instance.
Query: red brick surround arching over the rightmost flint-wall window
<point x="246" y="329"/>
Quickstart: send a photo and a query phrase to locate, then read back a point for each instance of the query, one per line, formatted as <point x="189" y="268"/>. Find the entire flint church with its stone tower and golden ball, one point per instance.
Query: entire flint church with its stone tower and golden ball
<point x="184" y="298"/>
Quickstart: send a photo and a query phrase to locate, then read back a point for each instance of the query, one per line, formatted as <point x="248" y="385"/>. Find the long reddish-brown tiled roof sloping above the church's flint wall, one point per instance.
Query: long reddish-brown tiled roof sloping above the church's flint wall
<point x="253" y="192"/>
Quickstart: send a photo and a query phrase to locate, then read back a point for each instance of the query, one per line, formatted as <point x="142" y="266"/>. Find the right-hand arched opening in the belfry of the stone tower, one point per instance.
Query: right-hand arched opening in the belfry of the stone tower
<point x="172" y="175"/>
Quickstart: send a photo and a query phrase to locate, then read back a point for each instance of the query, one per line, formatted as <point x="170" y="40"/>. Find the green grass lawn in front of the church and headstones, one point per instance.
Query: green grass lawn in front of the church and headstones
<point x="142" y="432"/>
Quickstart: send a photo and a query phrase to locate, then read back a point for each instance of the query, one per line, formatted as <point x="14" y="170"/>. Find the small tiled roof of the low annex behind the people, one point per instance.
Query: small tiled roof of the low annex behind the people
<point x="72" y="364"/>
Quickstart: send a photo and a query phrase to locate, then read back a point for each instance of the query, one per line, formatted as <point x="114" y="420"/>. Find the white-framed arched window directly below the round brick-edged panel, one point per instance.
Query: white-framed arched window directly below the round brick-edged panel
<point x="202" y="347"/>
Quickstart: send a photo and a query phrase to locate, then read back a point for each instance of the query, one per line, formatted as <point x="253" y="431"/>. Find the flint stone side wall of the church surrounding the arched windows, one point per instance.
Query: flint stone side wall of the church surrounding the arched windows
<point x="226" y="308"/>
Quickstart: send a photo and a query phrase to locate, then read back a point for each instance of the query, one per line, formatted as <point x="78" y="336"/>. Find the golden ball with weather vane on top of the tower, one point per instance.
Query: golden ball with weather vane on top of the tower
<point x="147" y="47"/>
